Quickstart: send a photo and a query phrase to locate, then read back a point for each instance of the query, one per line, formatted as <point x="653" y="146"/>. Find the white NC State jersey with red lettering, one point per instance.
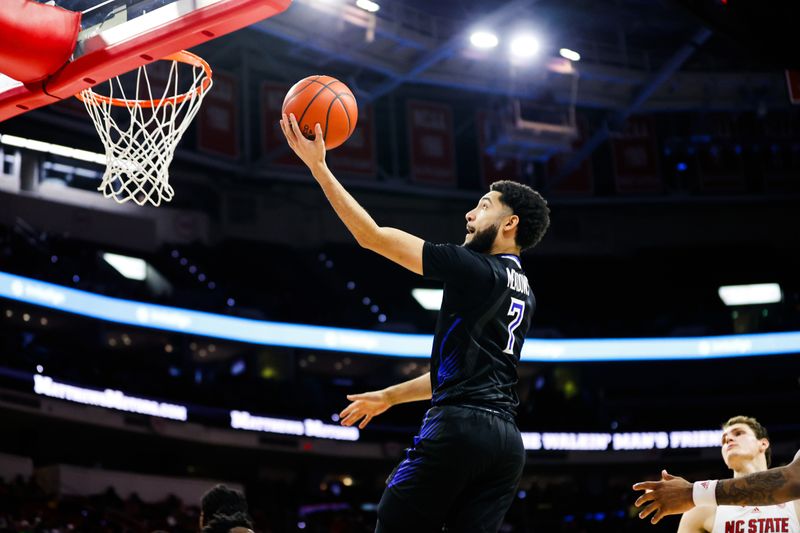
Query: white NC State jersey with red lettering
<point x="756" y="519"/>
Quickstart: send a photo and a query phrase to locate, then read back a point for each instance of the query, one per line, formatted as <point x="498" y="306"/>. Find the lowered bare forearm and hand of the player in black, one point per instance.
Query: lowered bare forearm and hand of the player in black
<point x="368" y="405"/>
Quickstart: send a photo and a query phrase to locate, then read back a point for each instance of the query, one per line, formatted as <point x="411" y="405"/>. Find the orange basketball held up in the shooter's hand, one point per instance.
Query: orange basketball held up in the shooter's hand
<point x="325" y="100"/>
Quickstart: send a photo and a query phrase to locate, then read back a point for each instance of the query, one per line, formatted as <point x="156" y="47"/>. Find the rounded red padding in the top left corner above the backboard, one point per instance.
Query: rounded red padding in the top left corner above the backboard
<point x="35" y="39"/>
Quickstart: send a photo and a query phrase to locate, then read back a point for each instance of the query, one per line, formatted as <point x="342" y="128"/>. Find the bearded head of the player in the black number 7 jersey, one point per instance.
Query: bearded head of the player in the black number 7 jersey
<point x="511" y="213"/>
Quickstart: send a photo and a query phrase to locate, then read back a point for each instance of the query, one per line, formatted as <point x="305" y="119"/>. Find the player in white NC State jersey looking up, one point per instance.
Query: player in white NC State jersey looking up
<point x="746" y="450"/>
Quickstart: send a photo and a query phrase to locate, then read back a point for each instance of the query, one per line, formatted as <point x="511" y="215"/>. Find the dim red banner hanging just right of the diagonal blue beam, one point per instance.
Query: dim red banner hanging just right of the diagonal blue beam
<point x="635" y="157"/>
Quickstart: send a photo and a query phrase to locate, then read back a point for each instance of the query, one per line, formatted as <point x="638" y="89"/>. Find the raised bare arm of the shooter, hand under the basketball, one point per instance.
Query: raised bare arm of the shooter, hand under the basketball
<point x="396" y="245"/>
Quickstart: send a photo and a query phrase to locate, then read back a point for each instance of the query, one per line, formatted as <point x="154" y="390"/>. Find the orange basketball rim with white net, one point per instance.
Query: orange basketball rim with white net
<point x="140" y="142"/>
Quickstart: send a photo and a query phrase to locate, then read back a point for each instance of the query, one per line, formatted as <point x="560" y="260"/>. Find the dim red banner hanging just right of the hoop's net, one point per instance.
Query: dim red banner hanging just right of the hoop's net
<point x="218" y="118"/>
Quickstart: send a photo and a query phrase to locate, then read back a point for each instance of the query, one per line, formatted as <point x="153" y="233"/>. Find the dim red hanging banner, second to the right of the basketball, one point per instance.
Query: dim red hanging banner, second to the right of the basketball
<point x="430" y="130"/>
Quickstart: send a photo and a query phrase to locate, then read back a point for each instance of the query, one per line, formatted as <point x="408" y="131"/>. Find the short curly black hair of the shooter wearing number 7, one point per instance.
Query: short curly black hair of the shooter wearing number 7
<point x="529" y="206"/>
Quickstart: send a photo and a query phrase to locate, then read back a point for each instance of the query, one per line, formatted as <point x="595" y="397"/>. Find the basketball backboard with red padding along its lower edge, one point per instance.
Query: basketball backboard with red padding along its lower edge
<point x="117" y="36"/>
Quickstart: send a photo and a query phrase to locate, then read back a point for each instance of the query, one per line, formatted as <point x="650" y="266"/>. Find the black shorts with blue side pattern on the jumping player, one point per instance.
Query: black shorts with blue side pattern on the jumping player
<point x="461" y="474"/>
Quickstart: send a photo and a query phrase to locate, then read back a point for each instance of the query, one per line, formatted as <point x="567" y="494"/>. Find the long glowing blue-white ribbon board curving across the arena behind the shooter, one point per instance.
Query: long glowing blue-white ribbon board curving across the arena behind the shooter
<point x="408" y="345"/>
